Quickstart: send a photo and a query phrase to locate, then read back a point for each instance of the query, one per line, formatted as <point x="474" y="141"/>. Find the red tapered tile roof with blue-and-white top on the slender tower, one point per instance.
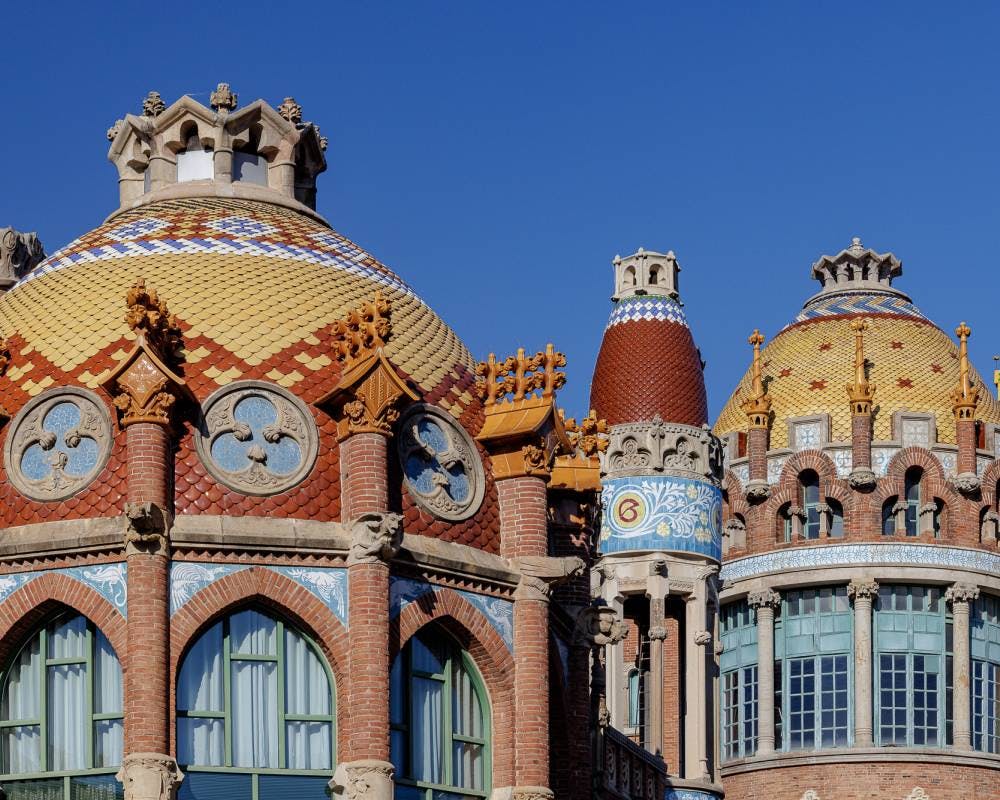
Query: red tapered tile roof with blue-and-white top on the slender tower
<point x="648" y="365"/>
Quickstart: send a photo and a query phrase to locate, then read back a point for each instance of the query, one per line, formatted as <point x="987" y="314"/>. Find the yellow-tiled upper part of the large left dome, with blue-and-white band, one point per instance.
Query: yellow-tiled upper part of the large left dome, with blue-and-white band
<point x="255" y="286"/>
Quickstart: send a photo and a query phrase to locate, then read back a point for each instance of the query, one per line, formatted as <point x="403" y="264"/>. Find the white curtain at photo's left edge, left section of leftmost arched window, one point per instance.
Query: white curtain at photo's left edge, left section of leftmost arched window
<point x="21" y="745"/>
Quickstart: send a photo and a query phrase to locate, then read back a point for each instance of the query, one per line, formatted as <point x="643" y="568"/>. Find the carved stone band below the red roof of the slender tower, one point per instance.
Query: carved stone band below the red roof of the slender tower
<point x="657" y="447"/>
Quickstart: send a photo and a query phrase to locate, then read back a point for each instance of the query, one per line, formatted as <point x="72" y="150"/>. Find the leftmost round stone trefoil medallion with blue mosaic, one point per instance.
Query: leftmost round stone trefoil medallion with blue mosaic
<point x="58" y="443"/>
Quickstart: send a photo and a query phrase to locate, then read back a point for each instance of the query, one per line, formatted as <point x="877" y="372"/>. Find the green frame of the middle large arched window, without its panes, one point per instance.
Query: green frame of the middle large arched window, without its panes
<point x="263" y="782"/>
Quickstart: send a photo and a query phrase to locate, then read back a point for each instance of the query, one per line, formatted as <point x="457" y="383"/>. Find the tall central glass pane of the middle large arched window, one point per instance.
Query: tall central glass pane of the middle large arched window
<point x="254" y="714"/>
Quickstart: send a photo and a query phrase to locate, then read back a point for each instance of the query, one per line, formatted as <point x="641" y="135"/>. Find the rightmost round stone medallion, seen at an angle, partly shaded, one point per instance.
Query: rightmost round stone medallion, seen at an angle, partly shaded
<point x="441" y="467"/>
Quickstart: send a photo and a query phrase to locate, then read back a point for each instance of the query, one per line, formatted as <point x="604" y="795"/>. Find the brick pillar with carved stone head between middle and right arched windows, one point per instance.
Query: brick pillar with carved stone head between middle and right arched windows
<point x="376" y="535"/>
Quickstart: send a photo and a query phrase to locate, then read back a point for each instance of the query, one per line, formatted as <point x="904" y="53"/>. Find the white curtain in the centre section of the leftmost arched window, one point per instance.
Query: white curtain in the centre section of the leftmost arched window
<point x="67" y="695"/>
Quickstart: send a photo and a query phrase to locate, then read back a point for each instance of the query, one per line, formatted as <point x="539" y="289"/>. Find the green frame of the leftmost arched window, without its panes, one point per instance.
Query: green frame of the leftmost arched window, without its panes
<point x="60" y="783"/>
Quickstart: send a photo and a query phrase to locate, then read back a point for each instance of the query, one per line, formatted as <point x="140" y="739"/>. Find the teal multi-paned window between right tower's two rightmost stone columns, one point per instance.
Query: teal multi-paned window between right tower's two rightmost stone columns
<point x="913" y="662"/>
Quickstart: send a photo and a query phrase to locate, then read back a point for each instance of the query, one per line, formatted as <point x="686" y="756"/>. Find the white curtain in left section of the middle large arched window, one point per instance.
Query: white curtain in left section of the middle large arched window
<point x="200" y="687"/>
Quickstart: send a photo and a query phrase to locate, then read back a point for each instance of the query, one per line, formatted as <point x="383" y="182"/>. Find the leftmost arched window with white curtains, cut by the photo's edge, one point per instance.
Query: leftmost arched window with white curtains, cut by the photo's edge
<point x="61" y="713"/>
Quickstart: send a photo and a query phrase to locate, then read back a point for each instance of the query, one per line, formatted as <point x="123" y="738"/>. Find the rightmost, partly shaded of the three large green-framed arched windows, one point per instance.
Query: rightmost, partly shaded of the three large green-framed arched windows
<point x="440" y="721"/>
